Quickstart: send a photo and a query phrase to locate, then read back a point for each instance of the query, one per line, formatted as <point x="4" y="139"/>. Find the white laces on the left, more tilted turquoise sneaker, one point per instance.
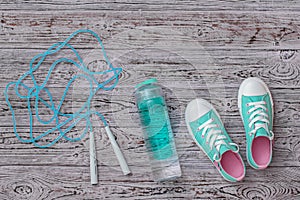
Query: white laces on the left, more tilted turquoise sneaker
<point x="214" y="137"/>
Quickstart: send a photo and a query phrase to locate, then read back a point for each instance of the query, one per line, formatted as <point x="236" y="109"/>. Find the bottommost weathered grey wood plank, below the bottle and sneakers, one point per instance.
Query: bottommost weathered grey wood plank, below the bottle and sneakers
<point x="70" y="182"/>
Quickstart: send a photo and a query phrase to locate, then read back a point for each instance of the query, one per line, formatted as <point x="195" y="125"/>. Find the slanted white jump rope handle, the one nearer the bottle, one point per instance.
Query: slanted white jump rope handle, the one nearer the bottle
<point x="118" y="152"/>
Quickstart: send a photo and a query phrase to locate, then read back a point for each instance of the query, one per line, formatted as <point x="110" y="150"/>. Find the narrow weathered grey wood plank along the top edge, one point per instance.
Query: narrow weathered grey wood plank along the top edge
<point x="140" y="5"/>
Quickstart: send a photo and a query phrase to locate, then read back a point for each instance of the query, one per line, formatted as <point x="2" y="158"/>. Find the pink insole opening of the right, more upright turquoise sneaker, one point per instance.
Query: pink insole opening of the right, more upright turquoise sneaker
<point x="261" y="151"/>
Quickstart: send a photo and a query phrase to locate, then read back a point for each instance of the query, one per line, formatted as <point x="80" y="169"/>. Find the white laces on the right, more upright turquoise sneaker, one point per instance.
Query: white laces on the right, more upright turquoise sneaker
<point x="258" y="113"/>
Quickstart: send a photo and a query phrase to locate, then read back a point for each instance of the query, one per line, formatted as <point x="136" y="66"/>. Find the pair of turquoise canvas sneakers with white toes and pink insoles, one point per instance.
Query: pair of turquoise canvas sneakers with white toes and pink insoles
<point x="256" y="109"/>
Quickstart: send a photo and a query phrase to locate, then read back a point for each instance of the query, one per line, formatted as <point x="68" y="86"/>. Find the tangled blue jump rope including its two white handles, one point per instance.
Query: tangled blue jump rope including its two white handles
<point x="83" y="113"/>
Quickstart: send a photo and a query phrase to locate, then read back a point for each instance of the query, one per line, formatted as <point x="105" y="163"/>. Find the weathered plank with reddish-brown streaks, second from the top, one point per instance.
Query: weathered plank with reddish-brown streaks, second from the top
<point x="212" y="29"/>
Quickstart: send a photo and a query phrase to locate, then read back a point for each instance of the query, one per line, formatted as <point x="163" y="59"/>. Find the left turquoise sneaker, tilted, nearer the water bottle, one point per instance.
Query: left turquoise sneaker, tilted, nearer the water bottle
<point x="207" y="130"/>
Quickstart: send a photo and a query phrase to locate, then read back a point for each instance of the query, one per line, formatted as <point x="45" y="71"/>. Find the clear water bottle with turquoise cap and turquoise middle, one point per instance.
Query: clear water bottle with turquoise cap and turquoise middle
<point x="159" y="138"/>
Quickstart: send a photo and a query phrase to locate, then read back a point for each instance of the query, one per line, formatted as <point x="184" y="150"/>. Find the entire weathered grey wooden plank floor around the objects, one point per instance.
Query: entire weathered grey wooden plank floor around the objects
<point x="195" y="50"/>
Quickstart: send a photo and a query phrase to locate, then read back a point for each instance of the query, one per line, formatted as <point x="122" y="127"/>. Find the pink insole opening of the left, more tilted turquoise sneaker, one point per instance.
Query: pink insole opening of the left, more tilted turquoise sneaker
<point x="233" y="165"/>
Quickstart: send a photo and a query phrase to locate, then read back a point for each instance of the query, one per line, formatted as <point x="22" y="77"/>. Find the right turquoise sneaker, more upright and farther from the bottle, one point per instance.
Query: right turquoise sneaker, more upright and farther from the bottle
<point x="256" y="109"/>
